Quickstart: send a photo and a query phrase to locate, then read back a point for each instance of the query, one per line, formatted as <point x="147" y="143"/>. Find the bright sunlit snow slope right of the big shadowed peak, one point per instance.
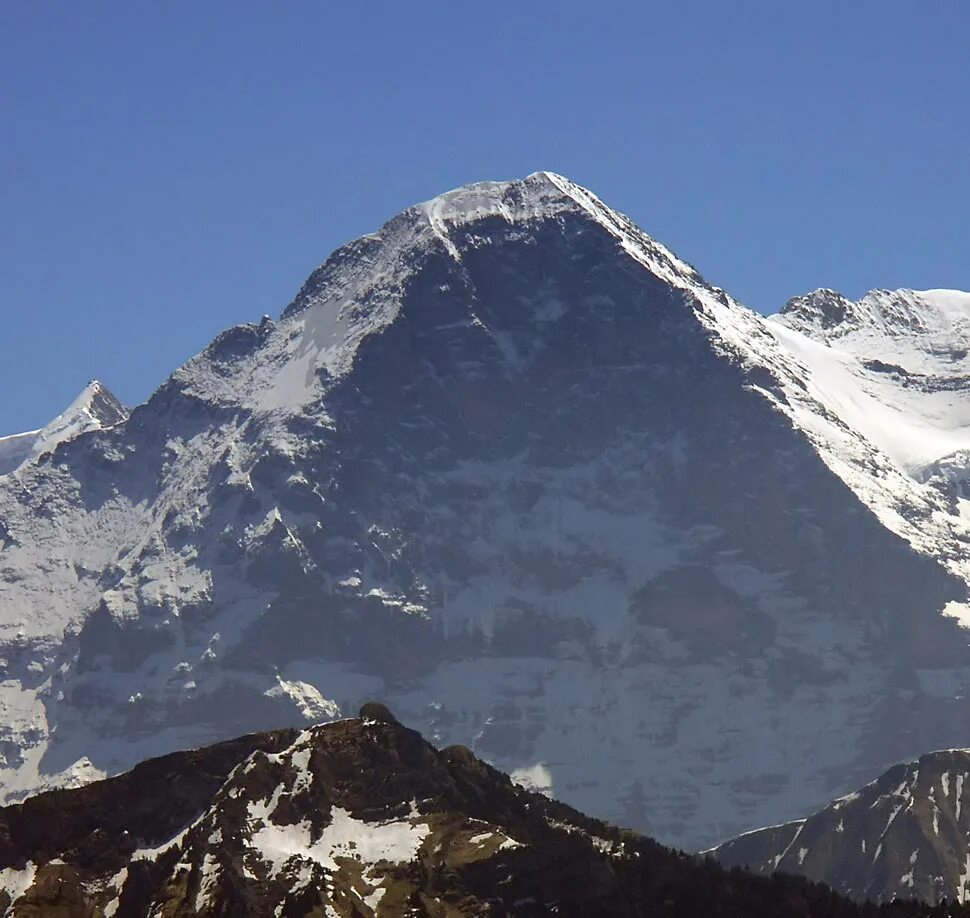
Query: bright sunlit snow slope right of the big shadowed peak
<point x="886" y="380"/>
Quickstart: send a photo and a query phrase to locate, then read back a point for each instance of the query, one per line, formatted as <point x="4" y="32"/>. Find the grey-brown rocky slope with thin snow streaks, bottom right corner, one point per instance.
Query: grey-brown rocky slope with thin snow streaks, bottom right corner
<point x="905" y="835"/>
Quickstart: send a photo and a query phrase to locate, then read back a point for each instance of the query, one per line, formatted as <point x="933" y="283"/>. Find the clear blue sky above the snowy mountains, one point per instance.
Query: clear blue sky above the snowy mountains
<point x="170" y="169"/>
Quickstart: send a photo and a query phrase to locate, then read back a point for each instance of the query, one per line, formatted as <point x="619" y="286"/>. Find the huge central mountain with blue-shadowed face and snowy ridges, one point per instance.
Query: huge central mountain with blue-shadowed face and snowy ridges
<point x="513" y="467"/>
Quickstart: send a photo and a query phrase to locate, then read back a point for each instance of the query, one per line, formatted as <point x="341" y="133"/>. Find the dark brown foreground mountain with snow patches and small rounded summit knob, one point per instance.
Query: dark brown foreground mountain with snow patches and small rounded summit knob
<point x="357" y="818"/>
